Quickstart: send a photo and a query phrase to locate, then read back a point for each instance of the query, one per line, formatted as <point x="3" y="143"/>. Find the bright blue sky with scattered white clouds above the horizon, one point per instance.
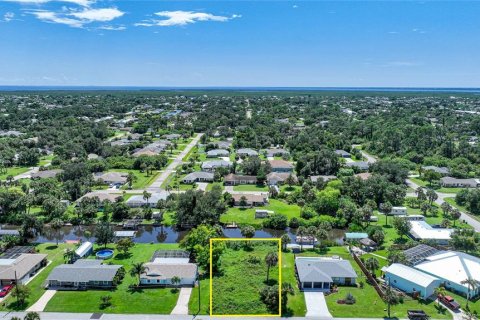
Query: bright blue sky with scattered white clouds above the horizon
<point x="243" y="43"/>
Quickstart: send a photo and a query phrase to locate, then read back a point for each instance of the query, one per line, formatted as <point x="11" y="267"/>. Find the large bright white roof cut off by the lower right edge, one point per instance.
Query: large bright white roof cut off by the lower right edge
<point x="452" y="266"/>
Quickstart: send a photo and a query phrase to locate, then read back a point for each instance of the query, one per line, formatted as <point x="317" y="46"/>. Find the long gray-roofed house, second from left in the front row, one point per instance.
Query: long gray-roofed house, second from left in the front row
<point x="83" y="274"/>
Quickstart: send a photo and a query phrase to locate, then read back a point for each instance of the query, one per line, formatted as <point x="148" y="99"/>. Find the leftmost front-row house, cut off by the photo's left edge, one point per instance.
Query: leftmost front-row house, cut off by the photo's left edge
<point x="21" y="268"/>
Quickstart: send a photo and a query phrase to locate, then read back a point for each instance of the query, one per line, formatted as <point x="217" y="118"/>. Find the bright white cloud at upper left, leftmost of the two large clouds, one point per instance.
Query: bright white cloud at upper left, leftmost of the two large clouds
<point x="78" y="19"/>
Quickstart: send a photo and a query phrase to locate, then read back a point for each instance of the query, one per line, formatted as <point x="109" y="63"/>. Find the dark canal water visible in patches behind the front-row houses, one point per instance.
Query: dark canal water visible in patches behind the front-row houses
<point x="161" y="234"/>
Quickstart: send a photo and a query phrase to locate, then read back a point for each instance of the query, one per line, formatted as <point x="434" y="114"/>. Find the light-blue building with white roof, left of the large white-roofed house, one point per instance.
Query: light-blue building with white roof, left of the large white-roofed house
<point x="410" y="280"/>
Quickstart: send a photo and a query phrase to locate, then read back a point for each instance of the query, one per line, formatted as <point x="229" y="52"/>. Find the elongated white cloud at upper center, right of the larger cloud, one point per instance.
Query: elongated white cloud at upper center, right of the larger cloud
<point x="182" y="18"/>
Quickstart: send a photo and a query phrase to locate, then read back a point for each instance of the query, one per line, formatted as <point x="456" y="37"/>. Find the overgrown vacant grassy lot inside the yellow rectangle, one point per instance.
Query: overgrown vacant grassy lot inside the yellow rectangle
<point x="235" y="293"/>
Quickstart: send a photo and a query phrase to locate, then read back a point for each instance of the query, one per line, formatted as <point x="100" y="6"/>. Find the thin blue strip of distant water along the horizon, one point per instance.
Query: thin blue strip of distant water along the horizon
<point x="245" y="89"/>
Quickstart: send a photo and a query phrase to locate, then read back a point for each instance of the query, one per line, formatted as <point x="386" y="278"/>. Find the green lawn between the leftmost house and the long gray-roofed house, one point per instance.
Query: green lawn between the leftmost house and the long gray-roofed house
<point x="36" y="285"/>
